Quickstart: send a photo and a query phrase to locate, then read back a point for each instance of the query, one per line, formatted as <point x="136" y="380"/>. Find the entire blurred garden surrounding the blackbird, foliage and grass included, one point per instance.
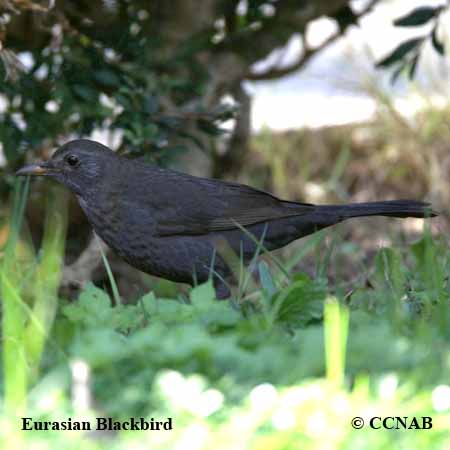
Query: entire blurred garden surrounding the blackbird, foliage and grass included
<point x="318" y="101"/>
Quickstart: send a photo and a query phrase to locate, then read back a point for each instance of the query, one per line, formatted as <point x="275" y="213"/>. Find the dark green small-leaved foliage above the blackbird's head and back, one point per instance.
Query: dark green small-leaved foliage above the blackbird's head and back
<point x="112" y="78"/>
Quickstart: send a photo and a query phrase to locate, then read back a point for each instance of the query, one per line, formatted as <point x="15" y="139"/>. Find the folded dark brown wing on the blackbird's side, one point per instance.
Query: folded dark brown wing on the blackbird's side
<point x="192" y="206"/>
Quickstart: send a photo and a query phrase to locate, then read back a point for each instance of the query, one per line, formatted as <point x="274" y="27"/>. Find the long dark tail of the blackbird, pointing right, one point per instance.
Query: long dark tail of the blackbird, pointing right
<point x="390" y="208"/>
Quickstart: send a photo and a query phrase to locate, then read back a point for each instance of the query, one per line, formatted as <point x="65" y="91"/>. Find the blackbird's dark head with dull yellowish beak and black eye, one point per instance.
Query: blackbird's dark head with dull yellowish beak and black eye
<point x="79" y="165"/>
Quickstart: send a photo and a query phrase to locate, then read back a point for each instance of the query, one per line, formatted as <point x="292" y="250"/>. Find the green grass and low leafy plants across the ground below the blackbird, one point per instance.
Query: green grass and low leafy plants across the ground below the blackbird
<point x="286" y="367"/>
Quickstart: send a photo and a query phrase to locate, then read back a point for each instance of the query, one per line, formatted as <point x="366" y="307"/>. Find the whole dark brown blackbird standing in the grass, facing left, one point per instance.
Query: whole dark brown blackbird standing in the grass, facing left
<point x="171" y="224"/>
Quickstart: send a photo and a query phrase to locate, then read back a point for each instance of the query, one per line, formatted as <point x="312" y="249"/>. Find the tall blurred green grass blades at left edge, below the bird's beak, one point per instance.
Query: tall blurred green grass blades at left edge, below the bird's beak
<point x="29" y="285"/>
